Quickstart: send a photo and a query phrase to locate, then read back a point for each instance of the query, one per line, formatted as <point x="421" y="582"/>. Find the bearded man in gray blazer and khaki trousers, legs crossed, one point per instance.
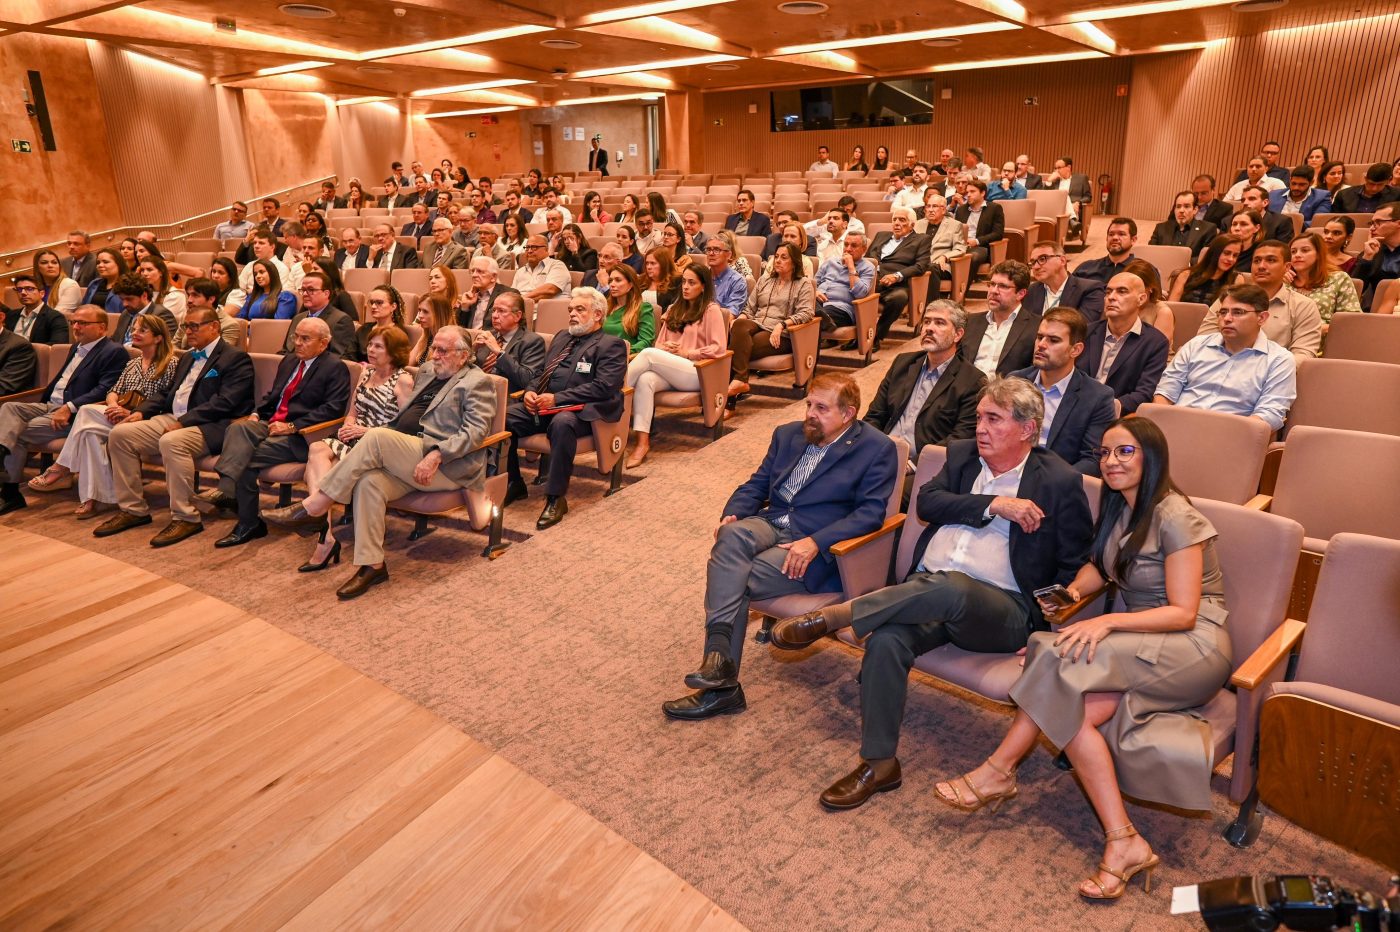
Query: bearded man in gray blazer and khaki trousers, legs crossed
<point x="433" y="446"/>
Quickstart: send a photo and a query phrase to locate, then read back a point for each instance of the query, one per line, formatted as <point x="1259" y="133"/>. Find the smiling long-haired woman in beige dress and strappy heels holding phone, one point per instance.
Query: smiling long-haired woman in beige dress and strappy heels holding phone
<point x="1119" y="693"/>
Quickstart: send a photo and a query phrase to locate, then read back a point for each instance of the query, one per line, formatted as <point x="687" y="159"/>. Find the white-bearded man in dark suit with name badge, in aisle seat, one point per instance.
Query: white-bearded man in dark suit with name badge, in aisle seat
<point x="586" y="369"/>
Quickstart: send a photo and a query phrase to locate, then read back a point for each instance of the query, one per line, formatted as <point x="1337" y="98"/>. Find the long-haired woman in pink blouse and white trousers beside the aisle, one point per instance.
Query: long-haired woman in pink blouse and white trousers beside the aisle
<point x="692" y="330"/>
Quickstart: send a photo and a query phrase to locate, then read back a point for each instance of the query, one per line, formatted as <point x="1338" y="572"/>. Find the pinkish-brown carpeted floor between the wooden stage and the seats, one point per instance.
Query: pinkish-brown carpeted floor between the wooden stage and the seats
<point x="559" y="654"/>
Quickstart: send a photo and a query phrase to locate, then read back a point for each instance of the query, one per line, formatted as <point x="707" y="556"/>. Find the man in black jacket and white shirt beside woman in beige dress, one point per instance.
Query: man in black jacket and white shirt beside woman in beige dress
<point x="1004" y="520"/>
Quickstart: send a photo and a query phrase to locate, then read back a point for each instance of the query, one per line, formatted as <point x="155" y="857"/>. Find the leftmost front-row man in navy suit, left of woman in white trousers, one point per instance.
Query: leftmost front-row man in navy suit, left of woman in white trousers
<point x="89" y="373"/>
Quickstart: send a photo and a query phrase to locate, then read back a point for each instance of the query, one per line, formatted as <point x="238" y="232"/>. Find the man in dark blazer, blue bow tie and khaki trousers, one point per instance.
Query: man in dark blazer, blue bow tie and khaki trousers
<point x="213" y="386"/>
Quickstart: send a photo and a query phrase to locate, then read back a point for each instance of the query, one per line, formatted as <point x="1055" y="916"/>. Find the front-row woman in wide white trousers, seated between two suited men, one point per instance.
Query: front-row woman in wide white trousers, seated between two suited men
<point x="149" y="376"/>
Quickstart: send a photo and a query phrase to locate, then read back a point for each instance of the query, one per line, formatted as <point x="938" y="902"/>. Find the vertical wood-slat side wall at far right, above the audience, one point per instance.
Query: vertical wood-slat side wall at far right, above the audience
<point x="1331" y="85"/>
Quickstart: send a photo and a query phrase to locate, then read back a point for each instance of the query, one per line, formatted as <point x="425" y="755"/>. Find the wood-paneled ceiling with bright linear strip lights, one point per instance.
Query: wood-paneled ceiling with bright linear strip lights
<point x="447" y="55"/>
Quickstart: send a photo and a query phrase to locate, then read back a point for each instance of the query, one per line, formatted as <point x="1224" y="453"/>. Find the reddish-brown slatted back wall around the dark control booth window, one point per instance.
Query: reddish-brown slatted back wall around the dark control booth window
<point x="1079" y="115"/>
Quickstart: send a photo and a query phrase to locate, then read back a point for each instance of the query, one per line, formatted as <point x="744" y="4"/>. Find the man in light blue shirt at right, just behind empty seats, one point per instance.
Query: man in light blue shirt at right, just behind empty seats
<point x="1240" y="370"/>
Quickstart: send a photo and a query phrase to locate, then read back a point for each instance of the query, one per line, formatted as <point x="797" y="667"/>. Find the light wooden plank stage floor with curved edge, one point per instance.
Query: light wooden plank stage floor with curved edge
<point x="170" y="762"/>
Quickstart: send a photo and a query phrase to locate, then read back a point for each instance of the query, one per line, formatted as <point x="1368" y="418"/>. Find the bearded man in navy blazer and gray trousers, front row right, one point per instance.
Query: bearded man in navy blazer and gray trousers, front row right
<point x="822" y="482"/>
